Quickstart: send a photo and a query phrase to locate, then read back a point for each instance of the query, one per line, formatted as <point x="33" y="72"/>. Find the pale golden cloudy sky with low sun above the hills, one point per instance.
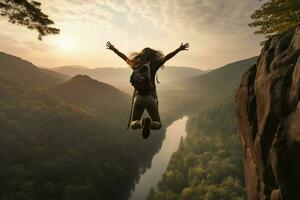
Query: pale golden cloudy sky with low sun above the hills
<point x="217" y="31"/>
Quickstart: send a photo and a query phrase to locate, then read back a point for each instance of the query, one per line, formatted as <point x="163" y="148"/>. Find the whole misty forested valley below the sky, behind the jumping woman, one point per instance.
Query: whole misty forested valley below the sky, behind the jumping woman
<point x="63" y="134"/>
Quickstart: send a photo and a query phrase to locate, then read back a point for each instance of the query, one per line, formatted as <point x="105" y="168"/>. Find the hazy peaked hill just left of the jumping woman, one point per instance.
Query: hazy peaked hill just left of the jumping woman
<point x="93" y="96"/>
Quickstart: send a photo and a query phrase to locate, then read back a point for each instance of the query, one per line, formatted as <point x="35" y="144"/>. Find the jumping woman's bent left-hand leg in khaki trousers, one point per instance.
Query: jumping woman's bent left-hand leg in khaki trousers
<point x="137" y="112"/>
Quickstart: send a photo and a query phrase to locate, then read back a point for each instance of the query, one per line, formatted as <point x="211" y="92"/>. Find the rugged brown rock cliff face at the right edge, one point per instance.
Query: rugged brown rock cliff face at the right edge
<point x="268" y="111"/>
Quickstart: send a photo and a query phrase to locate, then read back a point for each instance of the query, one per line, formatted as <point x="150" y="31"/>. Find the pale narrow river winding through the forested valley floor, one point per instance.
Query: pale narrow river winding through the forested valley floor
<point x="160" y="161"/>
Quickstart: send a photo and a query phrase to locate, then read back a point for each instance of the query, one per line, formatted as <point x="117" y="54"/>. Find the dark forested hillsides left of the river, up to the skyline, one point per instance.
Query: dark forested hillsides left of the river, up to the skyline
<point x="53" y="147"/>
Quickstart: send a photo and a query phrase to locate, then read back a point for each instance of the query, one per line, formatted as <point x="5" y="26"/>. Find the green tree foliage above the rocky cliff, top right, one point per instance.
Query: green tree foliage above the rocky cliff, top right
<point x="276" y="16"/>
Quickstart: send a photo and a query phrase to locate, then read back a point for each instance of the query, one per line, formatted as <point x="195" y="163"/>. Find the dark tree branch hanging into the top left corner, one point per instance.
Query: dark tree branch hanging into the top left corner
<point x="29" y="14"/>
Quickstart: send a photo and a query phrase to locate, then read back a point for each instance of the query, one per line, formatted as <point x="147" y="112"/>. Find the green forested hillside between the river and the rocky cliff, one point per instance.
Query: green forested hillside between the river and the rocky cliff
<point x="208" y="164"/>
